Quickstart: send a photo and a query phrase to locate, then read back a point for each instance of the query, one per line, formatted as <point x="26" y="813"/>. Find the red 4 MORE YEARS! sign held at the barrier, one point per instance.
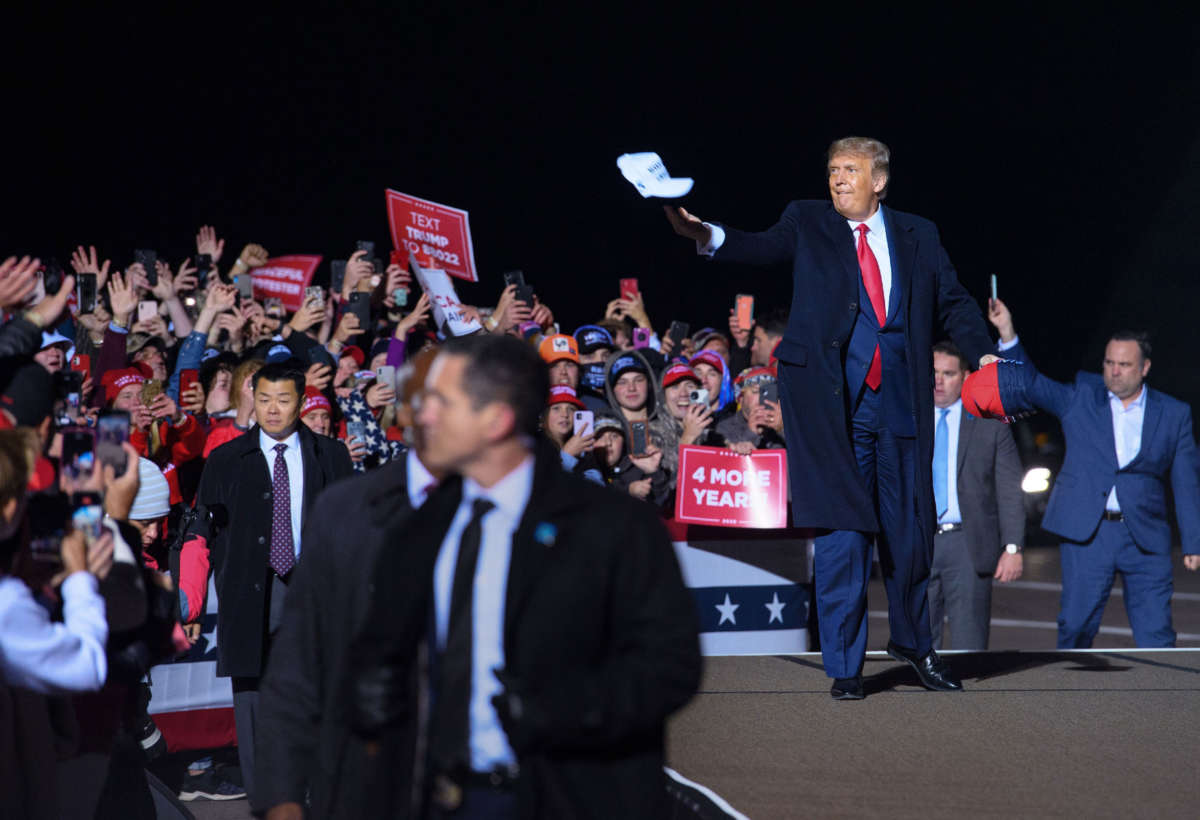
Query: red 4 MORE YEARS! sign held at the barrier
<point x="723" y="489"/>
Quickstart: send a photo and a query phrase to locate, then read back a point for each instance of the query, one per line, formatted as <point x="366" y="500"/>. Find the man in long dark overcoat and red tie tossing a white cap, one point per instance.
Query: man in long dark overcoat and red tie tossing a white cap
<point x="856" y="372"/>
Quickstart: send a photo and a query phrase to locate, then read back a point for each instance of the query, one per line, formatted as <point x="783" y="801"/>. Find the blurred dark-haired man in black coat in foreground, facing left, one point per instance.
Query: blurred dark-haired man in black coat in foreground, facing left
<point x="562" y="636"/>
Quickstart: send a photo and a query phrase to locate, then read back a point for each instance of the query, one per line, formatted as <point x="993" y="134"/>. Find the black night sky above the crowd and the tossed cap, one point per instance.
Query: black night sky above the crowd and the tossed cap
<point x="1059" y="153"/>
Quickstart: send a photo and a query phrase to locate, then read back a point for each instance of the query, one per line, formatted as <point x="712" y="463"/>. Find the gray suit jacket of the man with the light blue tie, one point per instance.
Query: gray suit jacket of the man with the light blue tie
<point x="989" y="481"/>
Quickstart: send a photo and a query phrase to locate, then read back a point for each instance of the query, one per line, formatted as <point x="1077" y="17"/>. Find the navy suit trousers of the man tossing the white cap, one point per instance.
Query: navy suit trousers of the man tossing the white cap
<point x="843" y="559"/>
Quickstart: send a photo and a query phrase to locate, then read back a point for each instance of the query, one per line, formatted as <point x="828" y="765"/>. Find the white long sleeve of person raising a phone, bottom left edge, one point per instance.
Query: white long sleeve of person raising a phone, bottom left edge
<point x="43" y="656"/>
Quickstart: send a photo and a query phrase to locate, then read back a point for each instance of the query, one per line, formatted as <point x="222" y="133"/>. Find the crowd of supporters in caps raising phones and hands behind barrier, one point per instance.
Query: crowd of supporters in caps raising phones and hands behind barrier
<point x="170" y="354"/>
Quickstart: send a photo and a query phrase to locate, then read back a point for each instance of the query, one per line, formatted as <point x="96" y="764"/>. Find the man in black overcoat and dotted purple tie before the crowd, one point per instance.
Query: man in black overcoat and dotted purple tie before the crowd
<point x="251" y="529"/>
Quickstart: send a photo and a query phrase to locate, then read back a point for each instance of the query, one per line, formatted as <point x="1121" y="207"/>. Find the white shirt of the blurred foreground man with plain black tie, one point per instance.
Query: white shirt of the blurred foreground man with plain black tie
<point x="489" y="744"/>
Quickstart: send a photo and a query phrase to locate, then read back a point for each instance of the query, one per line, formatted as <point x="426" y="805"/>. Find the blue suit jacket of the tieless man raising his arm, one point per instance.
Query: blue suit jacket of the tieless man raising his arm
<point x="1168" y="454"/>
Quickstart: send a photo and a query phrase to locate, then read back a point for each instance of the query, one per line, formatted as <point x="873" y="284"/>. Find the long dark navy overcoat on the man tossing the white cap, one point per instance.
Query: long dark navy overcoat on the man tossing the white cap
<point x="827" y="487"/>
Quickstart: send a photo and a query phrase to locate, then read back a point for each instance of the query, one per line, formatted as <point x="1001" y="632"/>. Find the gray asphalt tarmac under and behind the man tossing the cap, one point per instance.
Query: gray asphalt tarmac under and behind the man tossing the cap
<point x="1037" y="734"/>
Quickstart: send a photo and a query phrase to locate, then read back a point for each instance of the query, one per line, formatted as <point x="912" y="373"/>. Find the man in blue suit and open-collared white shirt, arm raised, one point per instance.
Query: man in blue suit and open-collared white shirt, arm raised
<point x="1125" y="444"/>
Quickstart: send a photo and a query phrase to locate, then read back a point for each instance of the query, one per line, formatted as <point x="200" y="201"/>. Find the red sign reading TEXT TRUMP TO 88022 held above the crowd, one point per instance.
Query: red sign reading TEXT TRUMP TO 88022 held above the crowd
<point x="439" y="236"/>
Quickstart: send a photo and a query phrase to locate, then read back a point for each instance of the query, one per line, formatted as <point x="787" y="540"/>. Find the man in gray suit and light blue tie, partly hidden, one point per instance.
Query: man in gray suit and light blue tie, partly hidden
<point x="981" y="517"/>
